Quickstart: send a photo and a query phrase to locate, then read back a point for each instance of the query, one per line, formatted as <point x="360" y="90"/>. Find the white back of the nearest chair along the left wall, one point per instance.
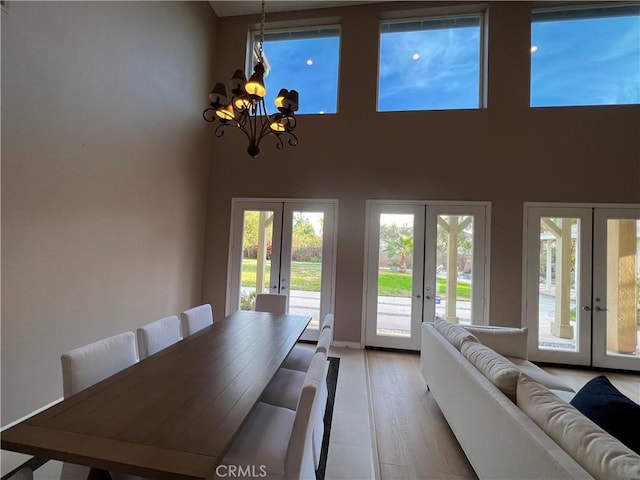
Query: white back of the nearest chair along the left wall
<point x="87" y="365"/>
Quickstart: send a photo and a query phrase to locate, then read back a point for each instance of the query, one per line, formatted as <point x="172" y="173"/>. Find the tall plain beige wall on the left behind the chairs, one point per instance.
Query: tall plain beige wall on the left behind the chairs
<point x="105" y="161"/>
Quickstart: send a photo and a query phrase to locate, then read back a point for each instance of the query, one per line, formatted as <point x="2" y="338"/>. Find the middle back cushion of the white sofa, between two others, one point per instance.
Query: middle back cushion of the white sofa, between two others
<point x="500" y="371"/>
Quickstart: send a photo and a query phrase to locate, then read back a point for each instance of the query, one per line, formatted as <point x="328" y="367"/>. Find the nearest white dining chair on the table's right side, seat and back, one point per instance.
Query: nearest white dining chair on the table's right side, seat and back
<point x="280" y="439"/>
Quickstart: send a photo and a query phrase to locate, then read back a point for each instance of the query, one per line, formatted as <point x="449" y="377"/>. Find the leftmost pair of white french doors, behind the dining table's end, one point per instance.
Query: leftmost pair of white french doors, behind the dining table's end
<point x="282" y="246"/>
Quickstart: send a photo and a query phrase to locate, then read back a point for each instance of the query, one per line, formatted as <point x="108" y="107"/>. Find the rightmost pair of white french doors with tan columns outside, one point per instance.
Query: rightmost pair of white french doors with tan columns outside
<point x="581" y="285"/>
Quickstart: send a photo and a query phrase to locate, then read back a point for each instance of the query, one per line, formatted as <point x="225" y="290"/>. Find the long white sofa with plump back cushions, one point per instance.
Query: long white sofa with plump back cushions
<point x="500" y="440"/>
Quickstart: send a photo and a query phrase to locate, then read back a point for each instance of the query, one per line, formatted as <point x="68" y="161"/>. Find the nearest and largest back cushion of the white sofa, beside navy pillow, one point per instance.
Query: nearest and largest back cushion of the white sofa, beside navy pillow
<point x="602" y="455"/>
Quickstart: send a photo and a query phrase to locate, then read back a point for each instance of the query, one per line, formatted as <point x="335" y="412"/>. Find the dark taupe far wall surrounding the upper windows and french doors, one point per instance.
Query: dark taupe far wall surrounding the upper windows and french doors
<point x="506" y="154"/>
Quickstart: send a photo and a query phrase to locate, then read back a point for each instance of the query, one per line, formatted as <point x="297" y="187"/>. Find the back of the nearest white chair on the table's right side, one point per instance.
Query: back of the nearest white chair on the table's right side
<point x="299" y="460"/>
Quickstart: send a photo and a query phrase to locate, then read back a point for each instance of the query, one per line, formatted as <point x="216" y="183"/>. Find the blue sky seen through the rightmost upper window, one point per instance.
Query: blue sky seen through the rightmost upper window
<point x="585" y="61"/>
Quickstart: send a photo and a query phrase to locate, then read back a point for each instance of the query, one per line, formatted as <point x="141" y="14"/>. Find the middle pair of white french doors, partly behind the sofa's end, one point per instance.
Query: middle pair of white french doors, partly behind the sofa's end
<point x="422" y="260"/>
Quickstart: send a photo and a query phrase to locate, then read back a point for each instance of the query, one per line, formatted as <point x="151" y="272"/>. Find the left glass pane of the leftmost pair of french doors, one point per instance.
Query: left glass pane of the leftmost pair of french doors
<point x="257" y="245"/>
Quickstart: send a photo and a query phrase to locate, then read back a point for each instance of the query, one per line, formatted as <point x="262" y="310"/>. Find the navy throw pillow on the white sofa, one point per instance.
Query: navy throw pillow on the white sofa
<point x="608" y="408"/>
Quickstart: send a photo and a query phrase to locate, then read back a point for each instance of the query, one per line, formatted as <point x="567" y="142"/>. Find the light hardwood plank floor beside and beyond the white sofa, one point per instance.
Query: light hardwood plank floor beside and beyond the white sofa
<point x="412" y="436"/>
